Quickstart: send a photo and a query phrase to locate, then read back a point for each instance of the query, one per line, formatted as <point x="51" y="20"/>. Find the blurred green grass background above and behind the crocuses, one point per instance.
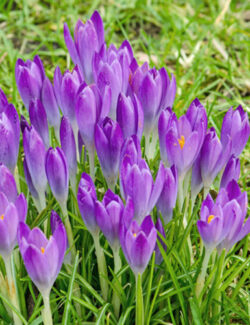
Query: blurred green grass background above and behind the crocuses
<point x="204" y="43"/>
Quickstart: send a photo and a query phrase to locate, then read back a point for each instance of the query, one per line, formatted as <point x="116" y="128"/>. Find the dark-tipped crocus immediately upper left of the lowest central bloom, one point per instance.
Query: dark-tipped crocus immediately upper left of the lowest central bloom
<point x="108" y="217"/>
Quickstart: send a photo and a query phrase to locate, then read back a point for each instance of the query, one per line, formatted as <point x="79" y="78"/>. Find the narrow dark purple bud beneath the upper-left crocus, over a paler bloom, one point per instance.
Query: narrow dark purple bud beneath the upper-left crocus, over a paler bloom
<point x="38" y="119"/>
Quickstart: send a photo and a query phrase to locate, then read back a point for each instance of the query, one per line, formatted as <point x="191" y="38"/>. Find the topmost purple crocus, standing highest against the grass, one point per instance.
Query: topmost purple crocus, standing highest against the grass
<point x="88" y="39"/>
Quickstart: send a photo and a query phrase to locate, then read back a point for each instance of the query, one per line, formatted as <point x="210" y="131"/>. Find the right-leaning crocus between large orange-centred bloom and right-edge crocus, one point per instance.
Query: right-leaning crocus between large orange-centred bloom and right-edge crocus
<point x="212" y="158"/>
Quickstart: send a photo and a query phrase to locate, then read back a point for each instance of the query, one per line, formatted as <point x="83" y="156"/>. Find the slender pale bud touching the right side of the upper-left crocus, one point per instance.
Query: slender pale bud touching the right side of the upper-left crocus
<point x="50" y="104"/>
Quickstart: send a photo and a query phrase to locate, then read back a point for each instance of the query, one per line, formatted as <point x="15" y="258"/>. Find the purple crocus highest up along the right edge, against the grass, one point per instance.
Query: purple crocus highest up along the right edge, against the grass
<point x="236" y="126"/>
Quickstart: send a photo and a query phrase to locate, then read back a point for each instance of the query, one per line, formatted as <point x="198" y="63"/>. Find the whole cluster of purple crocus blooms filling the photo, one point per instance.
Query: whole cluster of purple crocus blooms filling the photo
<point x="106" y="104"/>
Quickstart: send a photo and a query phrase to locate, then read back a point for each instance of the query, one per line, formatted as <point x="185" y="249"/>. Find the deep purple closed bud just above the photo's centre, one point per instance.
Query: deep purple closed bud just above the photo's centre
<point x="130" y="116"/>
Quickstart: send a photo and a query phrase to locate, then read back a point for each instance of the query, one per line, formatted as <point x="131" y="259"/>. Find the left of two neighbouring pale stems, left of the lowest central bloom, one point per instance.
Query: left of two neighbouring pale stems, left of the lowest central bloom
<point x="102" y="267"/>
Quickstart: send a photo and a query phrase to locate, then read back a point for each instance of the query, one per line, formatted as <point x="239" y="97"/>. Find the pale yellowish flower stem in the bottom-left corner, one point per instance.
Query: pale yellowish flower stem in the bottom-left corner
<point x="12" y="289"/>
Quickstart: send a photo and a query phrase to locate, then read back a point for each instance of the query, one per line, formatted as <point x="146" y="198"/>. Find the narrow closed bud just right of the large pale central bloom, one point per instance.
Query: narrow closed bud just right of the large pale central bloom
<point x="168" y="196"/>
